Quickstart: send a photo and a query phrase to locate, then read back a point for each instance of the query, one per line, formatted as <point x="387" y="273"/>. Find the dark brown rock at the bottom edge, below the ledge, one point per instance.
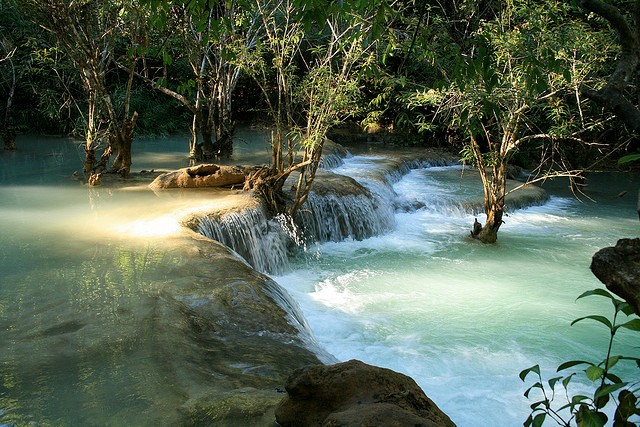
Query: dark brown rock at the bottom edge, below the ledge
<point x="354" y="394"/>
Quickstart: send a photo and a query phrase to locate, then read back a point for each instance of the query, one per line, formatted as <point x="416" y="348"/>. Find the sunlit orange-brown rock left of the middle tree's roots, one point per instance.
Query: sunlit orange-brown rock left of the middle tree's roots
<point x="205" y="175"/>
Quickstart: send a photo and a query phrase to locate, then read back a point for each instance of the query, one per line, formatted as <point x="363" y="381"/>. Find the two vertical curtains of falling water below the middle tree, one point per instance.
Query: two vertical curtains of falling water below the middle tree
<point x="265" y="243"/>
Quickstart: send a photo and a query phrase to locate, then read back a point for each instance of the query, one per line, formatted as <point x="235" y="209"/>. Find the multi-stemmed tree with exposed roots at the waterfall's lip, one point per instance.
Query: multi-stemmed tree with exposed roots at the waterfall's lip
<point x="314" y="89"/>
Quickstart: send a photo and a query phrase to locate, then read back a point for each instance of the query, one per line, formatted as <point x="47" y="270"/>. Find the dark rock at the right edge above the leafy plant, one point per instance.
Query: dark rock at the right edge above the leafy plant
<point x="618" y="267"/>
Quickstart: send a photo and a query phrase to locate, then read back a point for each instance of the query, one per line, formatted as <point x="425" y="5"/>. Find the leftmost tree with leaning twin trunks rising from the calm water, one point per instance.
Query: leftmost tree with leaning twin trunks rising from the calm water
<point x="87" y="32"/>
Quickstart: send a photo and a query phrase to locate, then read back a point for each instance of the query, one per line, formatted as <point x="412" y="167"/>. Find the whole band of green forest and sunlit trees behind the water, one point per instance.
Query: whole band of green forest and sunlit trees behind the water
<point x="549" y="86"/>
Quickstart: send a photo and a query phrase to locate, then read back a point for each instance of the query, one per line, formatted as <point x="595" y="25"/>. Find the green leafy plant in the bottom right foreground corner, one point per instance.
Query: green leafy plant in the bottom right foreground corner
<point x="589" y="410"/>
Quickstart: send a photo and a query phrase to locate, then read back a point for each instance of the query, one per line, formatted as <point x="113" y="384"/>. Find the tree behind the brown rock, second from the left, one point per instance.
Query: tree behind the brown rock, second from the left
<point x="207" y="36"/>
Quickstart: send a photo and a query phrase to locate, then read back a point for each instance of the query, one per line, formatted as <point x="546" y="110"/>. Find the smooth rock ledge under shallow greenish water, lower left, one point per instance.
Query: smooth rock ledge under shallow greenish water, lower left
<point x="177" y="331"/>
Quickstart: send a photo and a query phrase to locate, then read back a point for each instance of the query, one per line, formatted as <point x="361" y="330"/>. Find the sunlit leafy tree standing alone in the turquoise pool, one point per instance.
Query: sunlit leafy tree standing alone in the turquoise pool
<point x="514" y="87"/>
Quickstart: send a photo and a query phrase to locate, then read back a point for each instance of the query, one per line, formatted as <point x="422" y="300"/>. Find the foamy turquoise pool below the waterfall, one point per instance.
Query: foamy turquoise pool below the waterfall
<point x="462" y="318"/>
